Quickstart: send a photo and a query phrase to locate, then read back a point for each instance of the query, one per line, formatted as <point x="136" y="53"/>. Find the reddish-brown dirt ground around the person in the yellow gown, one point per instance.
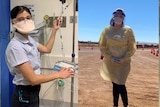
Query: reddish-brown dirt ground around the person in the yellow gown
<point x="142" y="82"/>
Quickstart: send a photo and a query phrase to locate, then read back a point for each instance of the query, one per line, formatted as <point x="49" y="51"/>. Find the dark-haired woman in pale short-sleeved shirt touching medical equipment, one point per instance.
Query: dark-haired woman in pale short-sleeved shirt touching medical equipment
<point x="23" y="59"/>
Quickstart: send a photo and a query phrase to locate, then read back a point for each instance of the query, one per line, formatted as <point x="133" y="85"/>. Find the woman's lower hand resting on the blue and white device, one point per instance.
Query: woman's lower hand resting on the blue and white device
<point x="66" y="73"/>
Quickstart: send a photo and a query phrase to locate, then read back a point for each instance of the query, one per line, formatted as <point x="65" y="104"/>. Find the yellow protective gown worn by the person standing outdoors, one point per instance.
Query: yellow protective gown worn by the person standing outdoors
<point x="117" y="43"/>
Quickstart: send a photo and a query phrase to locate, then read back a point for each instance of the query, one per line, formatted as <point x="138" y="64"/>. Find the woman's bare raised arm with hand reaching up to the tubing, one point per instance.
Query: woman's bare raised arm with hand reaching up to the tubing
<point x="48" y="47"/>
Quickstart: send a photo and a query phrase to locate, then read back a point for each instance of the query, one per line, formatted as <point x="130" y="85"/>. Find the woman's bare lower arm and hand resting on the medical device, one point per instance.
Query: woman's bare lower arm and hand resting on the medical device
<point x="36" y="79"/>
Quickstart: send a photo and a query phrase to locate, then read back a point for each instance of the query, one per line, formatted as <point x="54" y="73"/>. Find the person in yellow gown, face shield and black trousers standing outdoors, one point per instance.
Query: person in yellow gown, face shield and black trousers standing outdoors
<point x="117" y="44"/>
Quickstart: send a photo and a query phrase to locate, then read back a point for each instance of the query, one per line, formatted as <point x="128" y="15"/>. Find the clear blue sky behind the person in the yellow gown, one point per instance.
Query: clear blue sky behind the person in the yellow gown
<point x="141" y="16"/>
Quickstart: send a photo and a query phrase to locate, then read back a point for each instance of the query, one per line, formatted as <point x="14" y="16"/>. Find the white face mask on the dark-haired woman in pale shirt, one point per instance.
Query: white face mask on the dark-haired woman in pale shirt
<point x="25" y="26"/>
